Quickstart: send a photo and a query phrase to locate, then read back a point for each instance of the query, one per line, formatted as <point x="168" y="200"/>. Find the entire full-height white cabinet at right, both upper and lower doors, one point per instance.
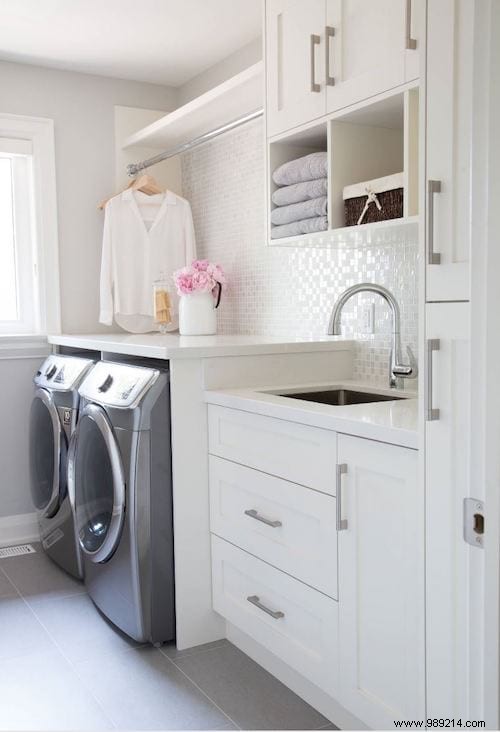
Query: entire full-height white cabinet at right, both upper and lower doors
<point x="454" y="567"/>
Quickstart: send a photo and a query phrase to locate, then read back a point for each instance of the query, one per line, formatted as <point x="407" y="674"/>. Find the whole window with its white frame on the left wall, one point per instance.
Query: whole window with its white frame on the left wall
<point x="29" y="275"/>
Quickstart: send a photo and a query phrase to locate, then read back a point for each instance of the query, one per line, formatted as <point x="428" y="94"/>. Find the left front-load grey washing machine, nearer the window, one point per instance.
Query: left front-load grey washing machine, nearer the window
<point x="52" y="421"/>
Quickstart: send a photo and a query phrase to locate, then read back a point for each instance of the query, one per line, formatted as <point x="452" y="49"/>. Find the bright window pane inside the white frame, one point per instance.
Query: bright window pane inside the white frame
<point x="18" y="281"/>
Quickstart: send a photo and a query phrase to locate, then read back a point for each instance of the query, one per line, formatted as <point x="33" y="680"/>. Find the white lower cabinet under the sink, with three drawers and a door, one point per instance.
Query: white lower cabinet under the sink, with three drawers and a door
<point x="333" y="582"/>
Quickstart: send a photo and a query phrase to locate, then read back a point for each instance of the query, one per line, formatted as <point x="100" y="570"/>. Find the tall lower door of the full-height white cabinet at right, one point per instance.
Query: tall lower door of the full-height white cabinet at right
<point x="453" y="566"/>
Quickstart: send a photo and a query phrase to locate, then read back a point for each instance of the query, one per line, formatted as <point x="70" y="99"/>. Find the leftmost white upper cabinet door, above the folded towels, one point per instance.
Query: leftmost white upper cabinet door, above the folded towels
<point x="295" y="63"/>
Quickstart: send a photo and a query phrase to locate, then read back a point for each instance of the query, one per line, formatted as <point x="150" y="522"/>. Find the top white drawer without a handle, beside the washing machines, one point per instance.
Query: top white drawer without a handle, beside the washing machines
<point x="296" y="452"/>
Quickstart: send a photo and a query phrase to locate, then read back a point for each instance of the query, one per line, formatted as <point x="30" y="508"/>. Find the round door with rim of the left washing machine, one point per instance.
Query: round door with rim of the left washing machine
<point x="48" y="451"/>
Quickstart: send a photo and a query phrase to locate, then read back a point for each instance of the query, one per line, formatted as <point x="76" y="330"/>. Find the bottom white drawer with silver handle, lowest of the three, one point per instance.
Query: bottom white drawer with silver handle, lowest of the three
<point x="305" y="636"/>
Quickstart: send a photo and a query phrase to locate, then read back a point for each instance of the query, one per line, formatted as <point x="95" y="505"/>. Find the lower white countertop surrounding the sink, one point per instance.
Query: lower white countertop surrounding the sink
<point x="394" y="422"/>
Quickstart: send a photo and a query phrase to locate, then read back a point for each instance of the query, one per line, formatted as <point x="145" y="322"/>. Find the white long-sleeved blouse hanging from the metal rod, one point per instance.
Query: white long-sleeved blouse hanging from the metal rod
<point x="137" y="249"/>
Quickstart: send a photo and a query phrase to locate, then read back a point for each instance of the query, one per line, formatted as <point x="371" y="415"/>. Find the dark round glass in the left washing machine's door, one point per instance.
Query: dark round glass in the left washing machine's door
<point x="45" y="442"/>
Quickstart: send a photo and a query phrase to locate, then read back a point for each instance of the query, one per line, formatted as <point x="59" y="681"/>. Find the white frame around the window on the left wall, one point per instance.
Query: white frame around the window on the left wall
<point x="39" y="132"/>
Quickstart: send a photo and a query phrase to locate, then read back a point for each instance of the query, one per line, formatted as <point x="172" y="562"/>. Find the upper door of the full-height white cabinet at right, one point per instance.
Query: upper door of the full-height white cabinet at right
<point x="450" y="26"/>
